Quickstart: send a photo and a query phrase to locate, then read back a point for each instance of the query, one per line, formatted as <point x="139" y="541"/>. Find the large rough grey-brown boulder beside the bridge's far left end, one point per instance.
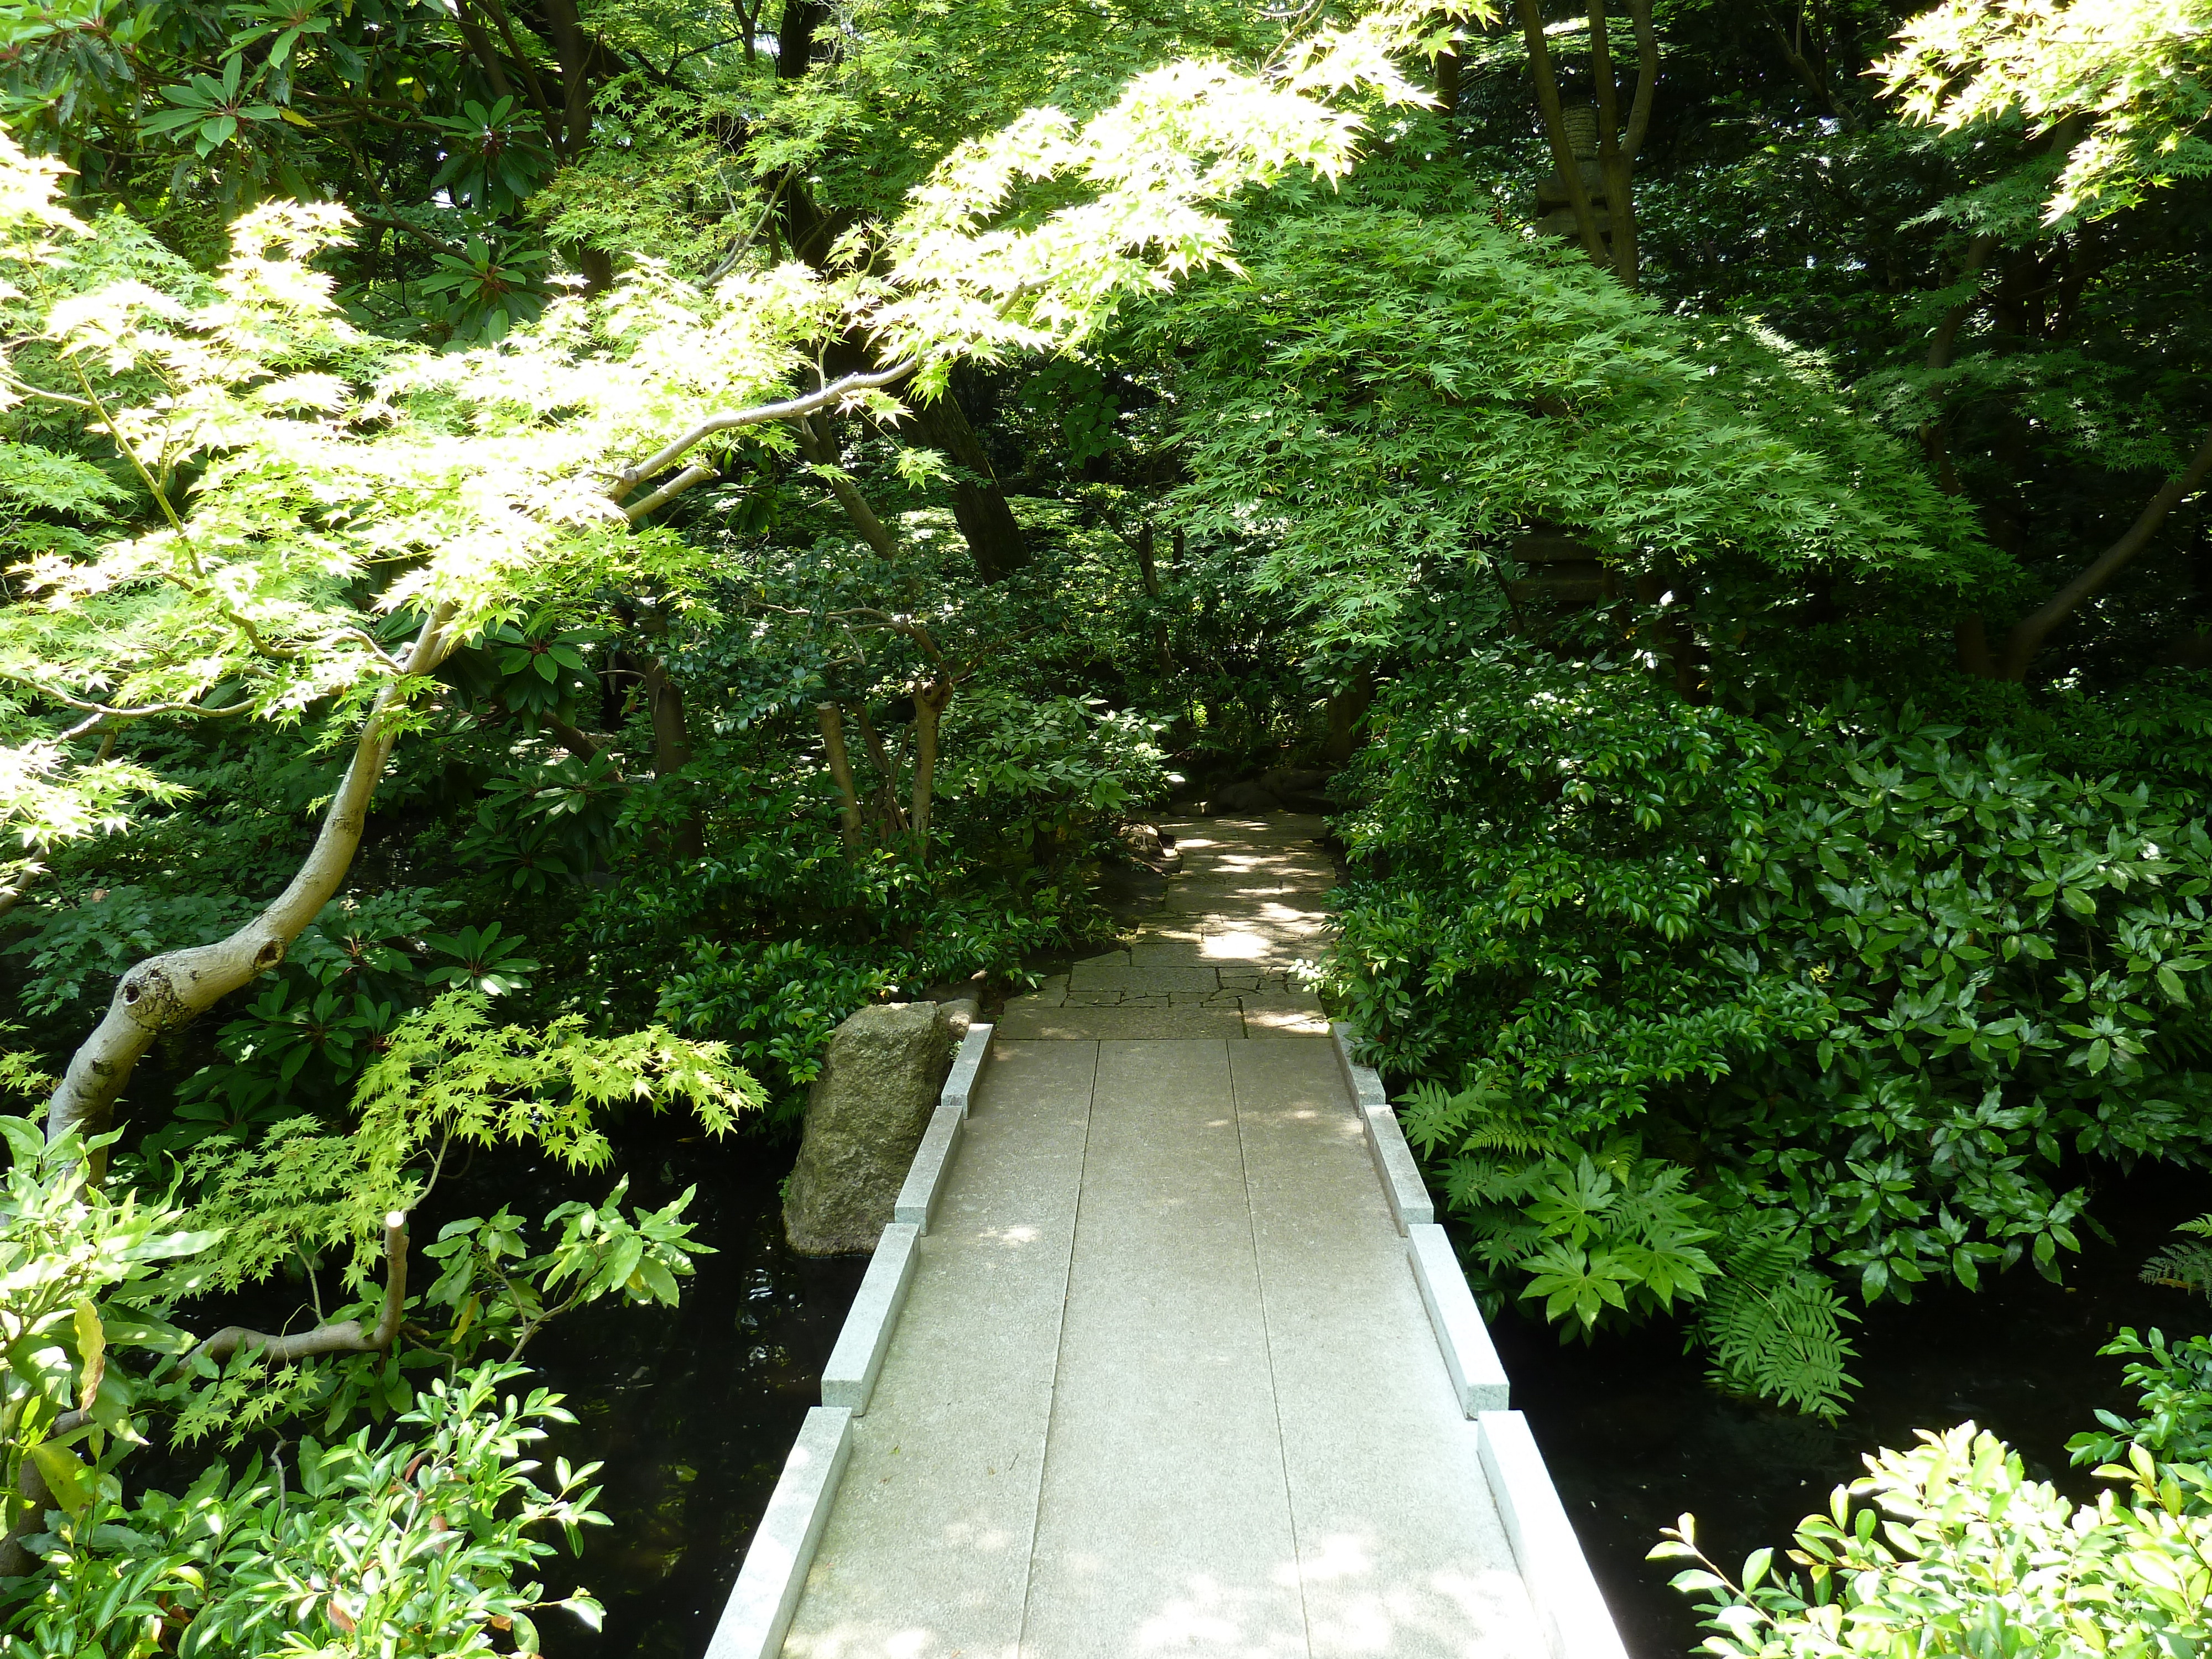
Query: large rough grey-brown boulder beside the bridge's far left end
<point x="866" y="1116"/>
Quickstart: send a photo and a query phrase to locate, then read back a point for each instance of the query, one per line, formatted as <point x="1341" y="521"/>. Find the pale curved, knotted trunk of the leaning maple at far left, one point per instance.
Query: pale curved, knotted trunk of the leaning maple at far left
<point x="171" y="990"/>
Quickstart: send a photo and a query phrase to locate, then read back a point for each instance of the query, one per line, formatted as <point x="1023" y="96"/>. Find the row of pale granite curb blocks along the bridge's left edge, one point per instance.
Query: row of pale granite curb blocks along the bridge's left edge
<point x="775" y="1572"/>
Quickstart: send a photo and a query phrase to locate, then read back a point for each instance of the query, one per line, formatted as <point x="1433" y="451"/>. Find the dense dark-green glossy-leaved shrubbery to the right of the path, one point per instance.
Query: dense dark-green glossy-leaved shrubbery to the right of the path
<point x="1850" y="977"/>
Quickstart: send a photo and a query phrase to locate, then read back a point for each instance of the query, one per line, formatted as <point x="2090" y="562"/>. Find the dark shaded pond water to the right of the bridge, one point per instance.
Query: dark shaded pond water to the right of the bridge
<point x="1634" y="1437"/>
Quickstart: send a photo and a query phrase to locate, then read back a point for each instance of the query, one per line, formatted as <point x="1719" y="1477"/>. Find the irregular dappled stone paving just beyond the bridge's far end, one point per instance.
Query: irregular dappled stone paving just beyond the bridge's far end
<point x="1215" y="961"/>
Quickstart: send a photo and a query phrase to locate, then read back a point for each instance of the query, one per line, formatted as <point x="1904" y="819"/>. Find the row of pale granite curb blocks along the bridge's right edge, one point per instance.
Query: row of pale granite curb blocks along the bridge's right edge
<point x="1545" y="1547"/>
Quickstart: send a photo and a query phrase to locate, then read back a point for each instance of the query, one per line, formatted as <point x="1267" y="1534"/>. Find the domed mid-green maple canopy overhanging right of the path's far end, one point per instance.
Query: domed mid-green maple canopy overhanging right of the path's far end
<point x="1392" y="395"/>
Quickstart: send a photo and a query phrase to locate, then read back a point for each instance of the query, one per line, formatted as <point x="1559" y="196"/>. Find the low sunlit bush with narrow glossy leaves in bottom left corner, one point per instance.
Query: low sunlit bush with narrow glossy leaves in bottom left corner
<point x="415" y="1545"/>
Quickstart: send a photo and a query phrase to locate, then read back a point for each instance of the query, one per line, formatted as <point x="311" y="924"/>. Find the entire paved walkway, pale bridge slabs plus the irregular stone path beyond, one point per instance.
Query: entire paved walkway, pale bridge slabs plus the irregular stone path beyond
<point x="1165" y="1381"/>
